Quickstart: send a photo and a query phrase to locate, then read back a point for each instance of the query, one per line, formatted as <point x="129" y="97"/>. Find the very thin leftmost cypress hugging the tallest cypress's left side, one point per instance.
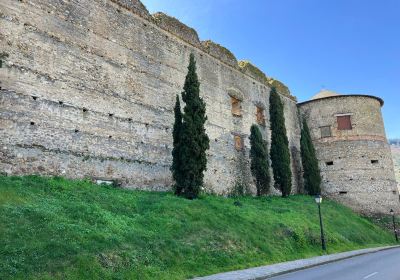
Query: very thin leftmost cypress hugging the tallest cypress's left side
<point x="176" y="155"/>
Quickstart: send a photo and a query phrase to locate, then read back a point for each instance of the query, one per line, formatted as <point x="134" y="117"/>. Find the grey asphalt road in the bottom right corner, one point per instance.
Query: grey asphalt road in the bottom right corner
<point x="383" y="265"/>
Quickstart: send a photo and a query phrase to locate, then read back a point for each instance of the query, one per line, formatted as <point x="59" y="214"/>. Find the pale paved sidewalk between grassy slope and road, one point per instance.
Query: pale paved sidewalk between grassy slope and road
<point x="264" y="272"/>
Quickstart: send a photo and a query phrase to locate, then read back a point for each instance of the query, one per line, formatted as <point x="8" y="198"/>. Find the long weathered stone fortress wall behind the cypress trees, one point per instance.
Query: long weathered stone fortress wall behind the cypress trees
<point x="72" y="64"/>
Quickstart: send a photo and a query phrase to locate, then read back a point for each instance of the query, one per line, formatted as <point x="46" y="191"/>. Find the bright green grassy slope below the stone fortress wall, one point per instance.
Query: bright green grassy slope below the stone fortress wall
<point x="55" y="228"/>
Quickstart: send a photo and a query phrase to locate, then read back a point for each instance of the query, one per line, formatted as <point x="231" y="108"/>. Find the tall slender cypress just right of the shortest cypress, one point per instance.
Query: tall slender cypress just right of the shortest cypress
<point x="280" y="156"/>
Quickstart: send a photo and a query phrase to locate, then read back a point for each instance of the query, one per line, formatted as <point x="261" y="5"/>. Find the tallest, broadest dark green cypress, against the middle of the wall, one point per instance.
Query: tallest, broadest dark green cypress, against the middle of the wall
<point x="193" y="140"/>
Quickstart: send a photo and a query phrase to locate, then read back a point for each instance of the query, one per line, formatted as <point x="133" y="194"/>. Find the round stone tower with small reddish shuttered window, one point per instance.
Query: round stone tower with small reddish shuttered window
<point x="354" y="155"/>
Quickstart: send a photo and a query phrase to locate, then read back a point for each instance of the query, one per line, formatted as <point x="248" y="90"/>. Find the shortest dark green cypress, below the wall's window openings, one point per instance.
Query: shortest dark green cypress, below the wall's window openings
<point x="259" y="161"/>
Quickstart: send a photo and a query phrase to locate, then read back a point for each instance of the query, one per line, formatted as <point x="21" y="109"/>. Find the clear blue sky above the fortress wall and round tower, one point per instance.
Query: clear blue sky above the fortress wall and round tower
<point x="348" y="46"/>
